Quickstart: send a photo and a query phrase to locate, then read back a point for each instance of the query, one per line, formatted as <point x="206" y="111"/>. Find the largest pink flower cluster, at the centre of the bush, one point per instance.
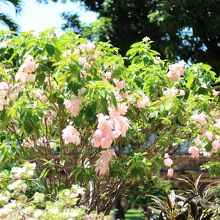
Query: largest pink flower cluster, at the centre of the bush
<point x="110" y="127"/>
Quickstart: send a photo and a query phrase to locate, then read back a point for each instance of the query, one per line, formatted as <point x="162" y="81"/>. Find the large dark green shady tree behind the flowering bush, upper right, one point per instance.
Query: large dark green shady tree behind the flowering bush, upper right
<point x="188" y="30"/>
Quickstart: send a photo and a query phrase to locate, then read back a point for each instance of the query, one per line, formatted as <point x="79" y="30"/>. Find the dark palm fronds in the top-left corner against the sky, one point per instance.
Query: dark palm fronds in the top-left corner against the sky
<point x="6" y="19"/>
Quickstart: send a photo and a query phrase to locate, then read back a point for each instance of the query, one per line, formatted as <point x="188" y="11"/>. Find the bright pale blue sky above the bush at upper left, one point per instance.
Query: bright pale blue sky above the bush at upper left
<point x="39" y="17"/>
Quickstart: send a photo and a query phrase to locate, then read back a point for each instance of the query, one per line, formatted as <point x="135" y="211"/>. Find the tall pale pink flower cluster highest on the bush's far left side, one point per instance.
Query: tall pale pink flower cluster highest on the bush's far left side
<point x="26" y="69"/>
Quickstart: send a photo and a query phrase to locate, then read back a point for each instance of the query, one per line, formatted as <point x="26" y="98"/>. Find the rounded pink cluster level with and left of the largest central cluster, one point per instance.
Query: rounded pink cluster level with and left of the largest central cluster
<point x="71" y="135"/>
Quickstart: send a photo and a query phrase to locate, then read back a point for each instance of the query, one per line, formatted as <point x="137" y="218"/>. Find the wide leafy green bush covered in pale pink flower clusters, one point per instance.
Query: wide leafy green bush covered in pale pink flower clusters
<point x="76" y="110"/>
